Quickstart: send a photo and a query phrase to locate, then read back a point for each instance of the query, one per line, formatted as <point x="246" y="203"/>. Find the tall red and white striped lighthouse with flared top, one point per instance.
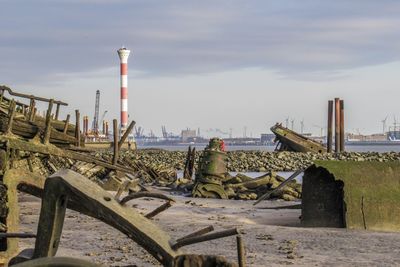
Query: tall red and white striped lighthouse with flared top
<point x="123" y="54"/>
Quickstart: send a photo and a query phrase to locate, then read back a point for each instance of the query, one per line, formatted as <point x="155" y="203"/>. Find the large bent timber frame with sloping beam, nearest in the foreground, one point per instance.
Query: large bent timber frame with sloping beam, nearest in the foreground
<point x="67" y="189"/>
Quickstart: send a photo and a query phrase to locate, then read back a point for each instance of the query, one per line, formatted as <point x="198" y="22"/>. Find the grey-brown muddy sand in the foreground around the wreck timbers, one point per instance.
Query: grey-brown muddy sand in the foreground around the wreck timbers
<point x="272" y="237"/>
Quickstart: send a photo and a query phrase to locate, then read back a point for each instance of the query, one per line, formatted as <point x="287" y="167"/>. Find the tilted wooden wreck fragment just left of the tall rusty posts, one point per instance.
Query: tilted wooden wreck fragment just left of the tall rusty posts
<point x="289" y="140"/>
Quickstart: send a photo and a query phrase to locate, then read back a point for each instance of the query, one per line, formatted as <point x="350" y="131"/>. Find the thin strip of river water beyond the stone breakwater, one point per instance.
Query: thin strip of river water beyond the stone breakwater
<point x="350" y="148"/>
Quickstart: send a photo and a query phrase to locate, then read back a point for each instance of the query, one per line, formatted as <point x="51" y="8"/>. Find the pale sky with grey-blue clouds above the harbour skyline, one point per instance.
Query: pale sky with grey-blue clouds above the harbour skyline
<point x="209" y="64"/>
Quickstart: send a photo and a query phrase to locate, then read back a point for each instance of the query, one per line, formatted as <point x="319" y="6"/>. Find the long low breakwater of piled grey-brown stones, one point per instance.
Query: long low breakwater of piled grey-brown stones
<point x="255" y="161"/>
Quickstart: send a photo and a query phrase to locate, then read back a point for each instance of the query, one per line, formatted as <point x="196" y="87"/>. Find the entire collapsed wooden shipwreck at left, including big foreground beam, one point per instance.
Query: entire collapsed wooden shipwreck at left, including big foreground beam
<point x="26" y="136"/>
